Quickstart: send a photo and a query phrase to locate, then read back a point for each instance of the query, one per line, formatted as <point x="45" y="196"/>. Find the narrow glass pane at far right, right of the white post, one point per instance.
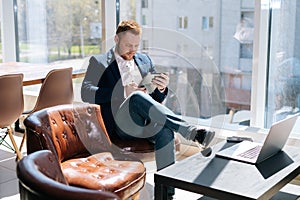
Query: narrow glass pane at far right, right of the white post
<point x="283" y="96"/>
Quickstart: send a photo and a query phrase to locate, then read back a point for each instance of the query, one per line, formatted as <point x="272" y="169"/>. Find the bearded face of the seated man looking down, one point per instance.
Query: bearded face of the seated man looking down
<point x="127" y="44"/>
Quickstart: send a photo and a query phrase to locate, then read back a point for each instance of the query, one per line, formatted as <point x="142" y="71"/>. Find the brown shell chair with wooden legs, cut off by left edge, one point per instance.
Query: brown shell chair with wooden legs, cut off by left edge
<point x="11" y="106"/>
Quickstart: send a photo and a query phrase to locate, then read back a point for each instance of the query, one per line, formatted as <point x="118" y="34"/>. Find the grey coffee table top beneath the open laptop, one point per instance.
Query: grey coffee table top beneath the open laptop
<point x="228" y="179"/>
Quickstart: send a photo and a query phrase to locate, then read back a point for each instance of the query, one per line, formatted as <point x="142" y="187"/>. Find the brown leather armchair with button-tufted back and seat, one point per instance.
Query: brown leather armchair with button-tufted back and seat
<point x="76" y="135"/>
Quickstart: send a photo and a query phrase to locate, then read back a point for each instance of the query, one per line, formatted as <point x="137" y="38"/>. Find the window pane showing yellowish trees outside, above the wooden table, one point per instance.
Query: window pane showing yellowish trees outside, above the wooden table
<point x="52" y="30"/>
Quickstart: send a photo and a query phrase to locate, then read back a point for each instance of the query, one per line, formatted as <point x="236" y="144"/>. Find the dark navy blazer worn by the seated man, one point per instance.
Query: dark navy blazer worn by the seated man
<point x="103" y="85"/>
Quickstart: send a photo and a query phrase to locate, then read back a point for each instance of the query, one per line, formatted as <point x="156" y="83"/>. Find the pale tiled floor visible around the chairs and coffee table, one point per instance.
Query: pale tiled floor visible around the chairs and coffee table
<point x="9" y="182"/>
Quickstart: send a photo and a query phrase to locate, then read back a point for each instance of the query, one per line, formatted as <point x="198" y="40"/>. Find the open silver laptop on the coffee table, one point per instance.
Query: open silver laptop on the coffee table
<point x="252" y="152"/>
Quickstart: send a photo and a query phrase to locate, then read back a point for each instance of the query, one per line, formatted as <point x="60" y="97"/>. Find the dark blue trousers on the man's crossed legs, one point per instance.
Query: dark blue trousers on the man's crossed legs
<point x="140" y="116"/>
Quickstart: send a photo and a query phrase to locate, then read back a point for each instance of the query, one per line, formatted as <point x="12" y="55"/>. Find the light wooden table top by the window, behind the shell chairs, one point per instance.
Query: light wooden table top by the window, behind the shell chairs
<point x="34" y="73"/>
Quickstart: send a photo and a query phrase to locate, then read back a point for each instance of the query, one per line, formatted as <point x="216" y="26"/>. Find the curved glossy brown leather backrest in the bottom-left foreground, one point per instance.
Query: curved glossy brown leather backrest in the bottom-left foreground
<point x="40" y="177"/>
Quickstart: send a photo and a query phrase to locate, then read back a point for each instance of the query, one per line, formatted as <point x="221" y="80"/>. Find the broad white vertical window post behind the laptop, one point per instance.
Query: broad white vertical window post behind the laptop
<point x="260" y="60"/>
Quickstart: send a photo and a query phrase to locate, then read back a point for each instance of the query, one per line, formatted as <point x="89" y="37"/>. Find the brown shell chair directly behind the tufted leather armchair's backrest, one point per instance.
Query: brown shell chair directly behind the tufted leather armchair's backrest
<point x="56" y="89"/>
